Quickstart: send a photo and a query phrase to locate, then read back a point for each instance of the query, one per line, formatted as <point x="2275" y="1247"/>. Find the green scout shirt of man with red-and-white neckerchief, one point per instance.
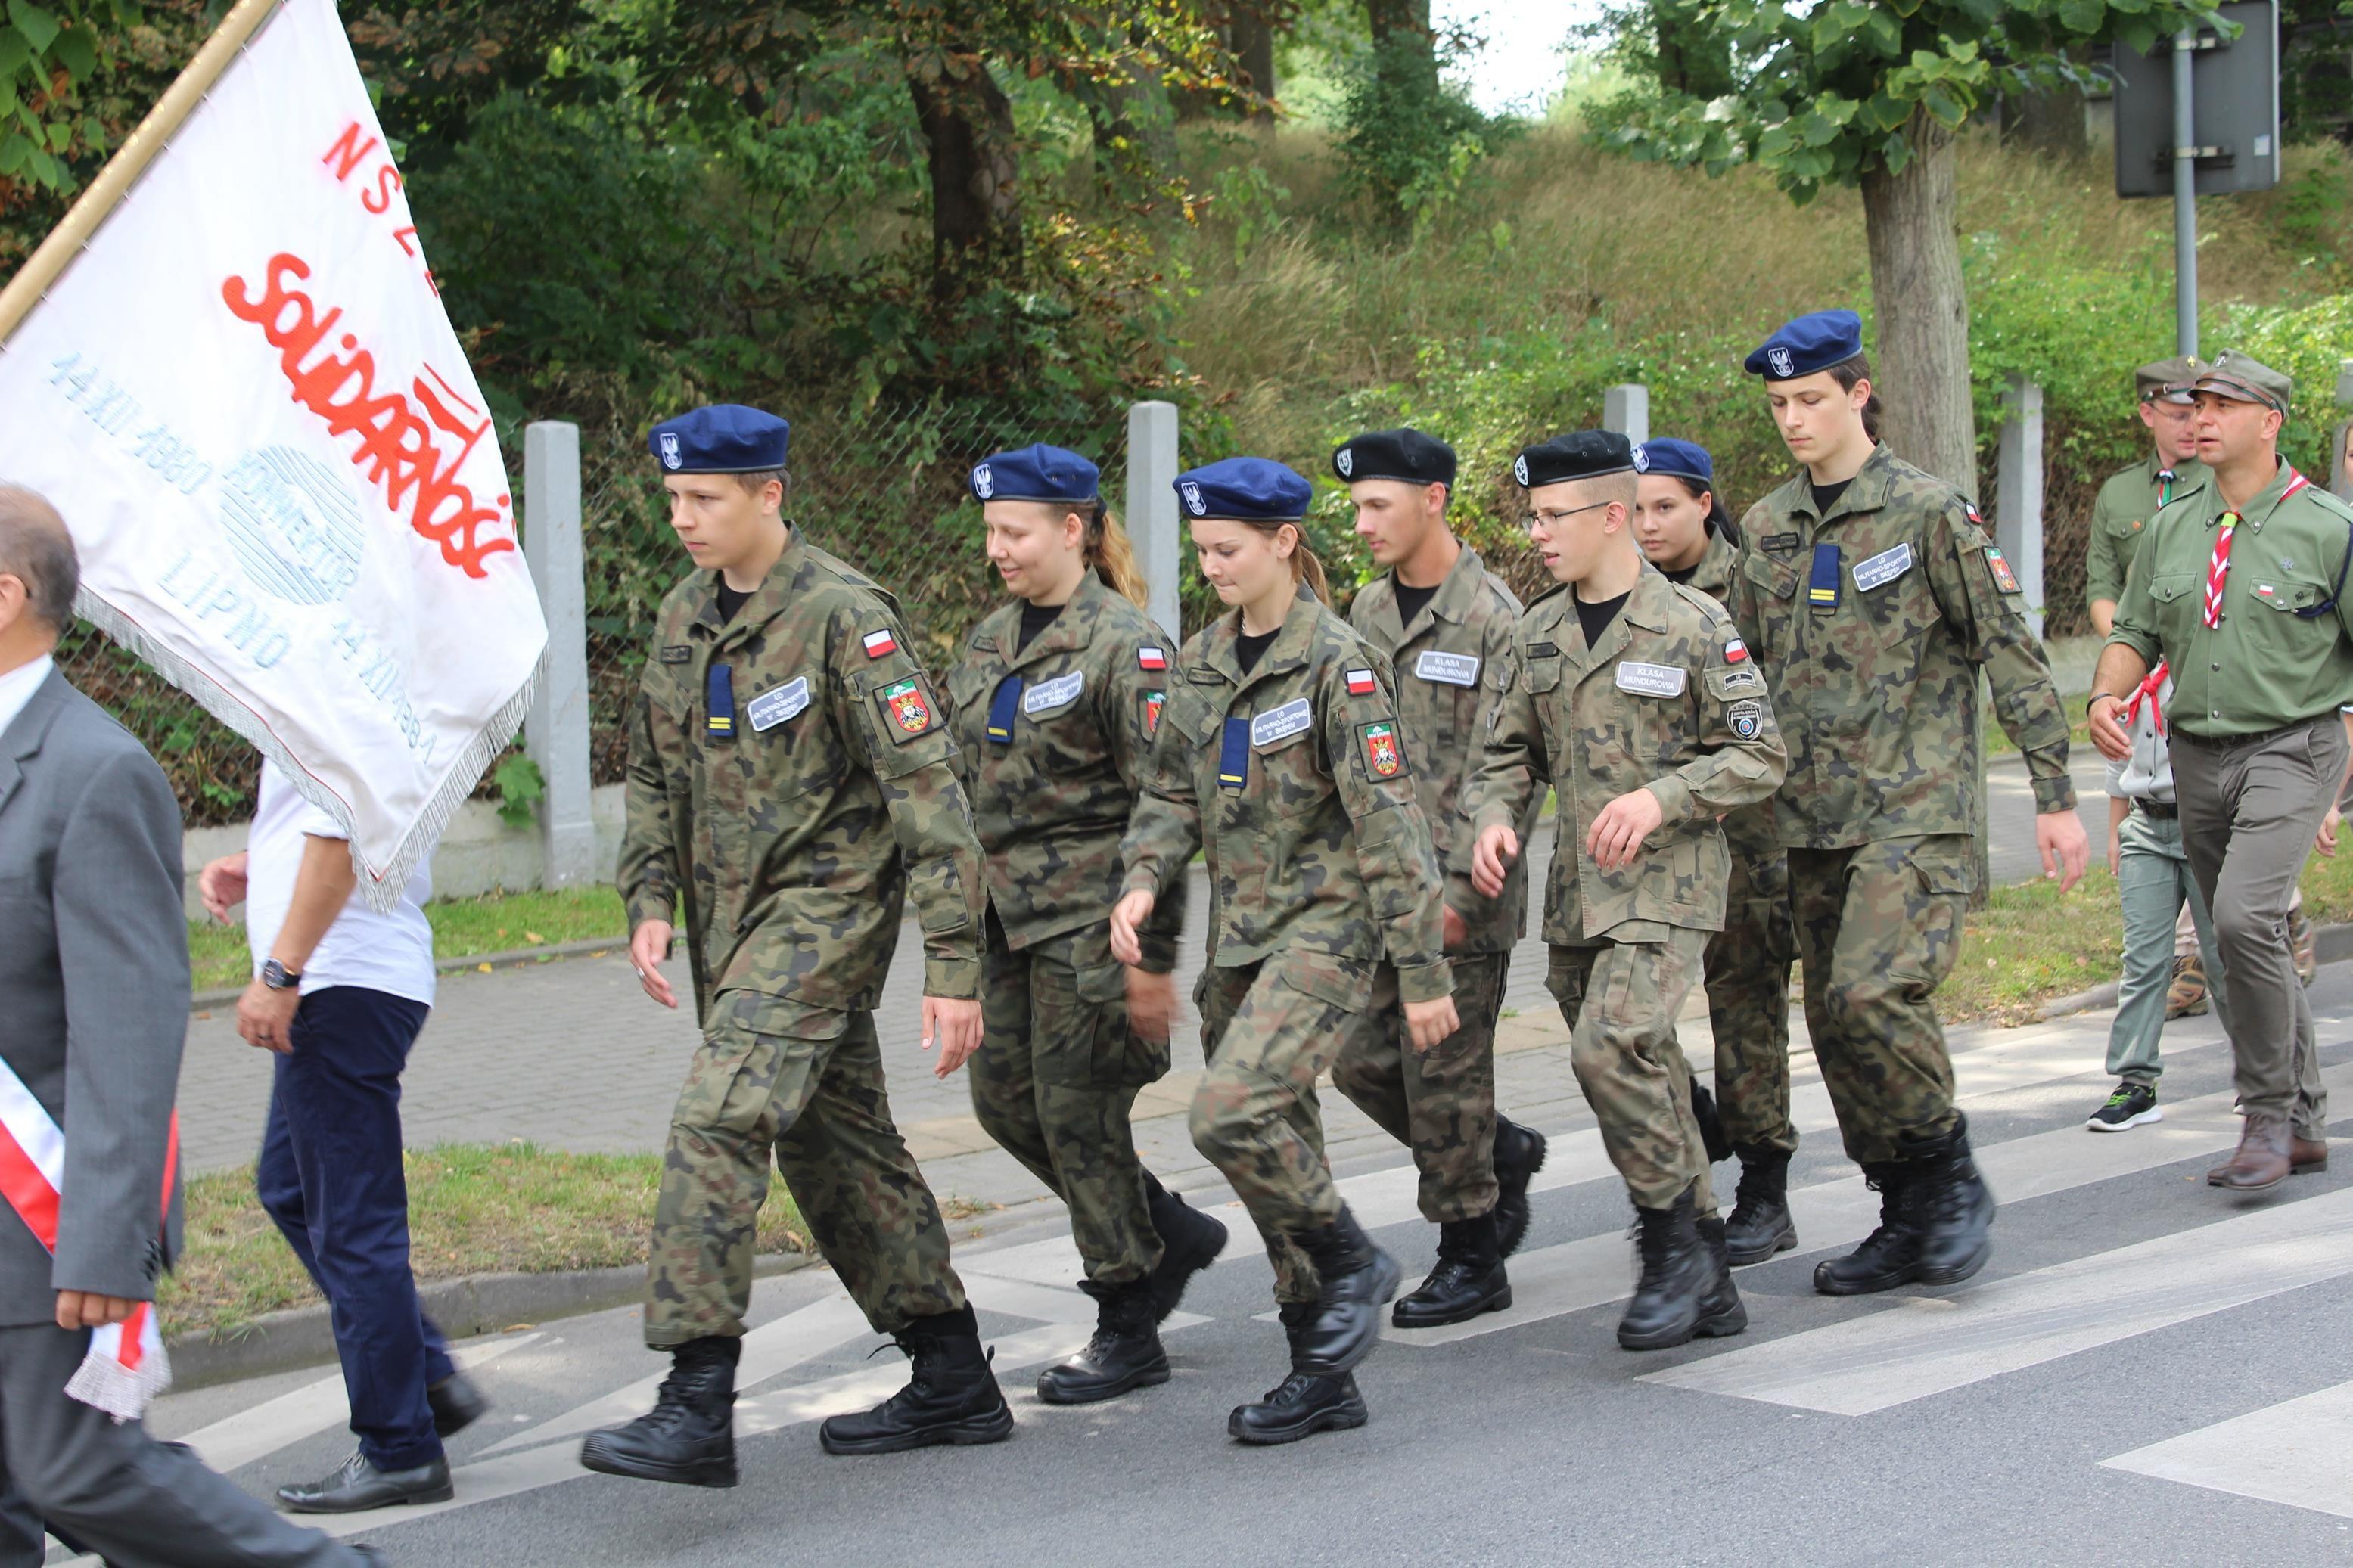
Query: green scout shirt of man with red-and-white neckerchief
<point x="2265" y="666"/>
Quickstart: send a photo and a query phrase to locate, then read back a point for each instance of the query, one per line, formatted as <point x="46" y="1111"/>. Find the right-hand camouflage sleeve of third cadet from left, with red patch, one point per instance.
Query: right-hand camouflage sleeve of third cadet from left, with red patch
<point x="1394" y="852"/>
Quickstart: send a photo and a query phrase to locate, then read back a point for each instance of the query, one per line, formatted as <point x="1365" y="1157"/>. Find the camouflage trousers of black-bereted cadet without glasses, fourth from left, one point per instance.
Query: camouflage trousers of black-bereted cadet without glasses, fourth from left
<point x="1439" y="1101"/>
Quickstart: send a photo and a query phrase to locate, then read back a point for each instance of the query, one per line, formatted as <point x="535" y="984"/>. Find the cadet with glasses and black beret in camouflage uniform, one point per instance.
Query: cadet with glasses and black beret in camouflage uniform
<point x="1634" y="699"/>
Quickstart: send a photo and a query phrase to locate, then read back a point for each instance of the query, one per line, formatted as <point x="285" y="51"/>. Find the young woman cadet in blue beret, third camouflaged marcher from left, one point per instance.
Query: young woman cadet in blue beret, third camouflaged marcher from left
<point x="1279" y="756"/>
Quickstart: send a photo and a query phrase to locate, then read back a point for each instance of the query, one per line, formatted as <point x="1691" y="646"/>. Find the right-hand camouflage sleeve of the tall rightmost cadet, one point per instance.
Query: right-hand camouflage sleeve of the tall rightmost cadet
<point x="1982" y="603"/>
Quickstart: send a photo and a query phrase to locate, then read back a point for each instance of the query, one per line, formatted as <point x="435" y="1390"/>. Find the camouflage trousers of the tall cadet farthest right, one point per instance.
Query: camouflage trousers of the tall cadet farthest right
<point x="1879" y="930"/>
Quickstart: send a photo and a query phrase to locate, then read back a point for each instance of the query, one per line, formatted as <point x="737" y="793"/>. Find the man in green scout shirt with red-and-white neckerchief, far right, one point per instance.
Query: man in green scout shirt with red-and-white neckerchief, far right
<point x="2241" y="591"/>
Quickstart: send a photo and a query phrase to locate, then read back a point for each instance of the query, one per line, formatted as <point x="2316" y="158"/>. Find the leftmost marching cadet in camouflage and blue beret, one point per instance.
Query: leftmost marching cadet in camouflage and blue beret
<point x="789" y="786"/>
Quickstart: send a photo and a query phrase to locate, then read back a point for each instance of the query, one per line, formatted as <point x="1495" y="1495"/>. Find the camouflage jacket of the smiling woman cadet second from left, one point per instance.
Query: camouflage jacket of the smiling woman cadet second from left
<point x="1055" y="760"/>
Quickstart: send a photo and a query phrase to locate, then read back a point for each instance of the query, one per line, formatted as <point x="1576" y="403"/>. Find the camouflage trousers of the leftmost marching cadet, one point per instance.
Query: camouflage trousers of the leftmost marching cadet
<point x="801" y="1083"/>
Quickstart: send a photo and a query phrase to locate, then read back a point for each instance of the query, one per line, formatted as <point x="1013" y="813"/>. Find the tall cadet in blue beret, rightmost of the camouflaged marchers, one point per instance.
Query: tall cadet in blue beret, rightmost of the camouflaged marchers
<point x="1874" y="601"/>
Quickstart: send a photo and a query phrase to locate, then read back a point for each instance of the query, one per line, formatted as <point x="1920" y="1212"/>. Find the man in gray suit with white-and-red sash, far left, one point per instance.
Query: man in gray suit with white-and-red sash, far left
<point x="95" y="996"/>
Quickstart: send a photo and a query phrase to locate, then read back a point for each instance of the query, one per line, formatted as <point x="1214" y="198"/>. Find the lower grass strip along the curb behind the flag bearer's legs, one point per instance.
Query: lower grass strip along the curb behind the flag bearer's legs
<point x="474" y="1209"/>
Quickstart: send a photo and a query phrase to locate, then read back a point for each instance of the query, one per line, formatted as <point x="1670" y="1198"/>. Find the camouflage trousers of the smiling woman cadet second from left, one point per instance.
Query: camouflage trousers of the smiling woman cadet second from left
<point x="1055" y="1080"/>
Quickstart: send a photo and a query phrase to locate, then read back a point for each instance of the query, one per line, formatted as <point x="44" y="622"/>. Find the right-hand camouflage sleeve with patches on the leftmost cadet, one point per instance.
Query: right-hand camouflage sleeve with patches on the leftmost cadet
<point x="905" y="728"/>
